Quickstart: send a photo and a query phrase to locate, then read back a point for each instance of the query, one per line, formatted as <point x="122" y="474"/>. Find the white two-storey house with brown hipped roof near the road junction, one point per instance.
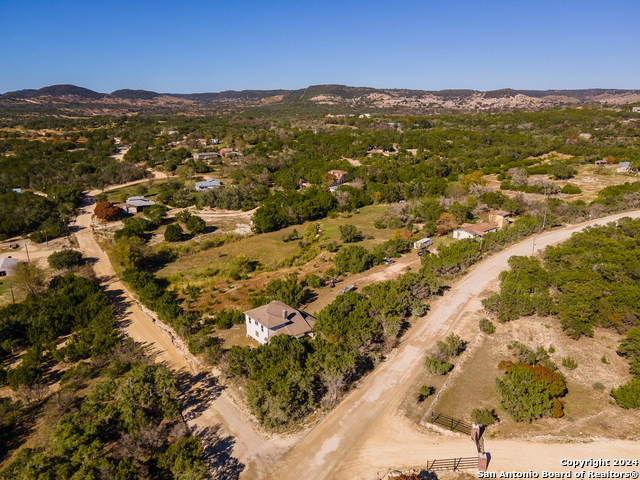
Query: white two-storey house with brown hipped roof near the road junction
<point x="277" y="318"/>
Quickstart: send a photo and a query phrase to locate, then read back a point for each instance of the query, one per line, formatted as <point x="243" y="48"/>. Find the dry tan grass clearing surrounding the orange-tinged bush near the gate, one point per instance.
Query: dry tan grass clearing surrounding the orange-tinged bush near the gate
<point x="588" y="411"/>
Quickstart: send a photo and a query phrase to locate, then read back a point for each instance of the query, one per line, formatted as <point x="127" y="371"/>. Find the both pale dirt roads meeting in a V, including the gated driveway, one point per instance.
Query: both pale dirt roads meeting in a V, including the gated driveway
<point x="365" y="434"/>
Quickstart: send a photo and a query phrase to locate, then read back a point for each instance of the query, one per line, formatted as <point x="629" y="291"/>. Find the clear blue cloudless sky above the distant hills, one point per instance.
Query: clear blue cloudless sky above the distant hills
<point x="209" y="46"/>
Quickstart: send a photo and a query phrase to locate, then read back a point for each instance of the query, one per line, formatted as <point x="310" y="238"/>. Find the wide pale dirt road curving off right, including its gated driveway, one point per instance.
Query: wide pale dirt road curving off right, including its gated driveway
<point x="365" y="434"/>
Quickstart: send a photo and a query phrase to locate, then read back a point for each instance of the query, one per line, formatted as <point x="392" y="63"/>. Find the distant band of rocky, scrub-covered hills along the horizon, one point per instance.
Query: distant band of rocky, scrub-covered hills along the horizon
<point x="317" y="98"/>
